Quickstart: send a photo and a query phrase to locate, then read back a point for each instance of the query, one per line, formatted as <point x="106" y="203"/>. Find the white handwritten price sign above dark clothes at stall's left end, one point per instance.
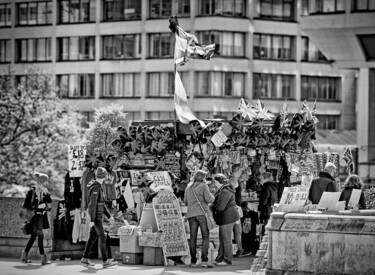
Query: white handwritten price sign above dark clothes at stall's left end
<point x="76" y="158"/>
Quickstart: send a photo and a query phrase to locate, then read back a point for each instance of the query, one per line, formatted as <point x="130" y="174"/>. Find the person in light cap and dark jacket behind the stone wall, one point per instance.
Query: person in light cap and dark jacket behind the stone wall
<point x="324" y="183"/>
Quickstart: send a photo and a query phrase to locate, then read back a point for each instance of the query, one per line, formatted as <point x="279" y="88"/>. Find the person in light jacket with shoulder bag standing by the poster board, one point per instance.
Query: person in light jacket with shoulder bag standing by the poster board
<point x="198" y="196"/>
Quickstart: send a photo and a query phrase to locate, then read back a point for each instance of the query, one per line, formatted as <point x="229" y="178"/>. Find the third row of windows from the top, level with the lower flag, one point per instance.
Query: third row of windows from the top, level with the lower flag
<point x="206" y="84"/>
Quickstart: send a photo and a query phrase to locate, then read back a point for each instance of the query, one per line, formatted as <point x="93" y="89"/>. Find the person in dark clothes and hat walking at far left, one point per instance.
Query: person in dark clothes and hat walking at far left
<point x="38" y="202"/>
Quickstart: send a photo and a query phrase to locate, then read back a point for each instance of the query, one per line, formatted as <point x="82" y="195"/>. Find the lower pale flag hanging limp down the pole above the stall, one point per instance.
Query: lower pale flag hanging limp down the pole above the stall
<point x="184" y="114"/>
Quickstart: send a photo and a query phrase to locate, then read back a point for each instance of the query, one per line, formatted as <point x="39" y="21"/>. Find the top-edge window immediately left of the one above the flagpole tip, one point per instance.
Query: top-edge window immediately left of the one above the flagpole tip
<point x="119" y="10"/>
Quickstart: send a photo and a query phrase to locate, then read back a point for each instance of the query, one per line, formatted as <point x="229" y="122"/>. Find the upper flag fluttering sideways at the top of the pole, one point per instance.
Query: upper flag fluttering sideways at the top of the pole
<point x="187" y="45"/>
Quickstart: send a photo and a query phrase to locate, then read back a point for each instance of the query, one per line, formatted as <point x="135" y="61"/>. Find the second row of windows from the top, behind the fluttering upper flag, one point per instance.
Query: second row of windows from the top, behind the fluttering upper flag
<point x="228" y="44"/>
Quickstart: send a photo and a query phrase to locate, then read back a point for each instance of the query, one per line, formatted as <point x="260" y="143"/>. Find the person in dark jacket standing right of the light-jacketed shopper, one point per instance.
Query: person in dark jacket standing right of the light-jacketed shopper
<point x="226" y="214"/>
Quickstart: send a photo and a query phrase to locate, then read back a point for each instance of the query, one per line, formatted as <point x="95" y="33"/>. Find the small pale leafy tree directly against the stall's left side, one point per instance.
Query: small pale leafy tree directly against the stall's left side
<point x="104" y="129"/>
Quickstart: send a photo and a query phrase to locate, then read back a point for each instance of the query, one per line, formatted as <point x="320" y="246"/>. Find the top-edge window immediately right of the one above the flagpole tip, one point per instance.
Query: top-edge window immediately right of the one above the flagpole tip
<point x="233" y="8"/>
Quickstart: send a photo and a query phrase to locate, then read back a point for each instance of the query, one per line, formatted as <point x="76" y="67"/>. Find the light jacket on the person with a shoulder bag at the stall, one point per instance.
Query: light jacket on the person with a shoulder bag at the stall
<point x="203" y="195"/>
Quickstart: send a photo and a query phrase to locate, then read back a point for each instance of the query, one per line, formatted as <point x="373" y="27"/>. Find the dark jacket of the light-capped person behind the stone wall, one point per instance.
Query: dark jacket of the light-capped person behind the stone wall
<point x="325" y="183"/>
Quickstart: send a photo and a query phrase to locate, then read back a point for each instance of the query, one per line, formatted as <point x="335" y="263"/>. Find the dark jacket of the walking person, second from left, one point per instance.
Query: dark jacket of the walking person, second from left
<point x="96" y="206"/>
